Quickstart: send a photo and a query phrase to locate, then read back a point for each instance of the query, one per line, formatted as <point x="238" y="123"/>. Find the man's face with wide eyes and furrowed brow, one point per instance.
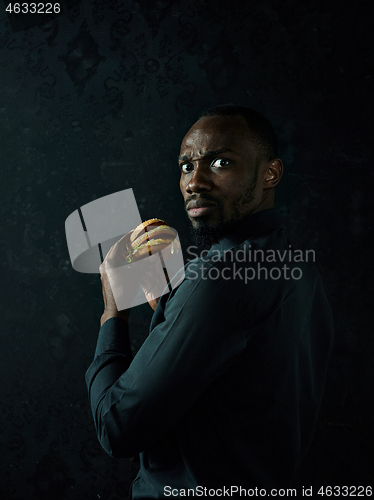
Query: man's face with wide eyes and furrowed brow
<point x="219" y="170"/>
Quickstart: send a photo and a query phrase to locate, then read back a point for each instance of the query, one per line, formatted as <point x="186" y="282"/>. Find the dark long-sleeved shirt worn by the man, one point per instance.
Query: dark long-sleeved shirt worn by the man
<point x="226" y="389"/>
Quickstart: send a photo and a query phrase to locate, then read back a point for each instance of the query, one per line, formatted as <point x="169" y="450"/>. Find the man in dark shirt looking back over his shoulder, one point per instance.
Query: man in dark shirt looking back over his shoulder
<point x="224" y="393"/>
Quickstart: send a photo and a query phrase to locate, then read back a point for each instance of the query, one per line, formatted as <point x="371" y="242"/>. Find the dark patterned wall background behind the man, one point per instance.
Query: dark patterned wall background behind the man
<point x="96" y="100"/>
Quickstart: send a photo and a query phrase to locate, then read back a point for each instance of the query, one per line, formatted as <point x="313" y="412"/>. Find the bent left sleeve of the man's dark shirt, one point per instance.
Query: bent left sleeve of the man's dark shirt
<point x="136" y="402"/>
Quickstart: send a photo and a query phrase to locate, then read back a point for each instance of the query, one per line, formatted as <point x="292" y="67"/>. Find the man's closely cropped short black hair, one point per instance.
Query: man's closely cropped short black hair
<point x="264" y="140"/>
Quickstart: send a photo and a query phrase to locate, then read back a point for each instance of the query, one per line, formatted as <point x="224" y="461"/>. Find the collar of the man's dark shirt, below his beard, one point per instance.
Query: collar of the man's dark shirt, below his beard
<point x="257" y="224"/>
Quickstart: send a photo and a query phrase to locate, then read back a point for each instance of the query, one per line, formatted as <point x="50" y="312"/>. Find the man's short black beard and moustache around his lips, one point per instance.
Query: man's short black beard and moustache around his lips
<point x="206" y="234"/>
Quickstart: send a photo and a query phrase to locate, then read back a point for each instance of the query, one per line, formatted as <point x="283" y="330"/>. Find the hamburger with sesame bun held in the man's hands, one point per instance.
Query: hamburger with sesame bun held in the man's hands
<point x="150" y="237"/>
